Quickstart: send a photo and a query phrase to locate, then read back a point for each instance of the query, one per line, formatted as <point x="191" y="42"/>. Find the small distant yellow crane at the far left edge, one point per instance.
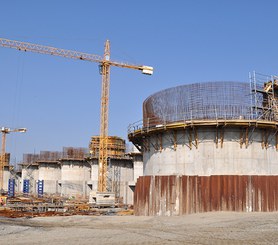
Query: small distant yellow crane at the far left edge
<point x="4" y="160"/>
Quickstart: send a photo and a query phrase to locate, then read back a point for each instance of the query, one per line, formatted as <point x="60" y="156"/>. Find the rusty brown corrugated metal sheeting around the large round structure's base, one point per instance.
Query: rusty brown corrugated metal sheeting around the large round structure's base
<point x="179" y="195"/>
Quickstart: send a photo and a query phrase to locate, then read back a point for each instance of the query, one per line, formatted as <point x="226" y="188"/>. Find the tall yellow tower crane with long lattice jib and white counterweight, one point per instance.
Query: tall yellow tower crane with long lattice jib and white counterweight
<point x="104" y="63"/>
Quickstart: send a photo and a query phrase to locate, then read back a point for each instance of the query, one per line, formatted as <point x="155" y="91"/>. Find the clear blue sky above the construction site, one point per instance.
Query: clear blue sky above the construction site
<point x="186" y="41"/>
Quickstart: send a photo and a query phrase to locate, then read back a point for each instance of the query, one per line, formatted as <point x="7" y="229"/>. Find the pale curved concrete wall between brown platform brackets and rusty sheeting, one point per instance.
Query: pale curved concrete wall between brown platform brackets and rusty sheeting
<point x="258" y="157"/>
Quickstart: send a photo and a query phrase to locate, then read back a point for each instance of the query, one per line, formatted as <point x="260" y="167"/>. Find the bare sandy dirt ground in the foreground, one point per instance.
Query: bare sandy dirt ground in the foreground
<point x="205" y="228"/>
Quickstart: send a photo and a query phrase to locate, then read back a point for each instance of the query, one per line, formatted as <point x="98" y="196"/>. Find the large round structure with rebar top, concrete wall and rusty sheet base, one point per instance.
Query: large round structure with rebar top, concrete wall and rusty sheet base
<point x="208" y="147"/>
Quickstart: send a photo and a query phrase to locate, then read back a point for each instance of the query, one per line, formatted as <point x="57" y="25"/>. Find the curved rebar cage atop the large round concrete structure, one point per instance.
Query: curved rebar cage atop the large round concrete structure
<point x="199" y="101"/>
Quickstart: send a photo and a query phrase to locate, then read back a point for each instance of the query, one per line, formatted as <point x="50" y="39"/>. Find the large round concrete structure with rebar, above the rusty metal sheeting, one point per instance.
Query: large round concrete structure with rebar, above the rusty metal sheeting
<point x="206" y="129"/>
